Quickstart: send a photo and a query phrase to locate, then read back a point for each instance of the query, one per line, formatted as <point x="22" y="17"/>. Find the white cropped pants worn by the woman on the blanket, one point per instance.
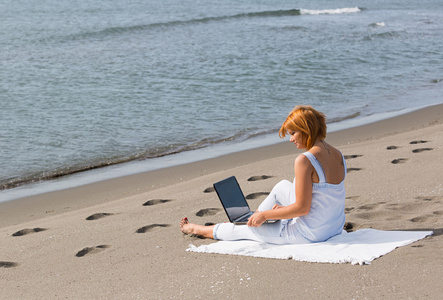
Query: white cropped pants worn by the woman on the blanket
<point x="275" y="233"/>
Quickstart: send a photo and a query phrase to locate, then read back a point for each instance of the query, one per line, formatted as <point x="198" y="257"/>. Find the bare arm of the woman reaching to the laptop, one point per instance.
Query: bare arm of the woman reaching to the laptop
<point x="303" y="190"/>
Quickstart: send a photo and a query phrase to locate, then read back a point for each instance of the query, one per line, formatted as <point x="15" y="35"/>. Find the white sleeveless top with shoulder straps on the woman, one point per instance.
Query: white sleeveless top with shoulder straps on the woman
<point x="327" y="214"/>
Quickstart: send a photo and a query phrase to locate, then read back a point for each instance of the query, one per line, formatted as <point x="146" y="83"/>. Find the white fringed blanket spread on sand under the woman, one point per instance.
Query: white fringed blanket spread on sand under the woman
<point x="359" y="247"/>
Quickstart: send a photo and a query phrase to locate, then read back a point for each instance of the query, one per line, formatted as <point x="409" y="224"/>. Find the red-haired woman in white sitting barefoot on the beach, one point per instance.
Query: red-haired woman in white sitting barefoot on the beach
<point x="311" y="209"/>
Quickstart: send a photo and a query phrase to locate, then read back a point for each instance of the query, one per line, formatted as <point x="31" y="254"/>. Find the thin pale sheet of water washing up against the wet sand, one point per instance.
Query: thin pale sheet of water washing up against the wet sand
<point x="96" y="174"/>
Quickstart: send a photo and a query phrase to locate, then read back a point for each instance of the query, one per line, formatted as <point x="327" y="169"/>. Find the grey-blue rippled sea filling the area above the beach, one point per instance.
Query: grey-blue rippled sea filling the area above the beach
<point x="139" y="85"/>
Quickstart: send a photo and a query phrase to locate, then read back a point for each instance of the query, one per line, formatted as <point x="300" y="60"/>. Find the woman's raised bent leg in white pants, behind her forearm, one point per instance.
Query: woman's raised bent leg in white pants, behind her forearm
<point x="283" y="193"/>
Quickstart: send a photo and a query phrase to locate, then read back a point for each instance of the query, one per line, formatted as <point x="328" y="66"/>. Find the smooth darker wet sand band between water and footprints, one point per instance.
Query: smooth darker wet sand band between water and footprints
<point x="55" y="202"/>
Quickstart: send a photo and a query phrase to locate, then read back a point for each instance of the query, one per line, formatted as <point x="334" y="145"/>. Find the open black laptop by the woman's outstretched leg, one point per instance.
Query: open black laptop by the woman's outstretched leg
<point x="233" y="201"/>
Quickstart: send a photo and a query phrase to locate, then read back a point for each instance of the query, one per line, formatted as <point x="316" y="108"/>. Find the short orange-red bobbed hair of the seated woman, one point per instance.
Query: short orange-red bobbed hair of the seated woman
<point x="309" y="121"/>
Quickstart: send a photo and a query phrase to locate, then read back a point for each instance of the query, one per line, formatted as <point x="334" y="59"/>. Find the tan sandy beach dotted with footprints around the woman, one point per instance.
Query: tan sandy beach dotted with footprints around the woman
<point x="120" y="239"/>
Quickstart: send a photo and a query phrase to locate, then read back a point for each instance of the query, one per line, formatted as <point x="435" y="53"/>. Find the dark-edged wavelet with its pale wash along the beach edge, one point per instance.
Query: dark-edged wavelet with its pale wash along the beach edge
<point x="73" y="176"/>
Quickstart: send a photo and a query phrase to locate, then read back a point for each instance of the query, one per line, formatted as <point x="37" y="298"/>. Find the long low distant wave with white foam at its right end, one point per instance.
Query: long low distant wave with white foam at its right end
<point x="263" y="14"/>
